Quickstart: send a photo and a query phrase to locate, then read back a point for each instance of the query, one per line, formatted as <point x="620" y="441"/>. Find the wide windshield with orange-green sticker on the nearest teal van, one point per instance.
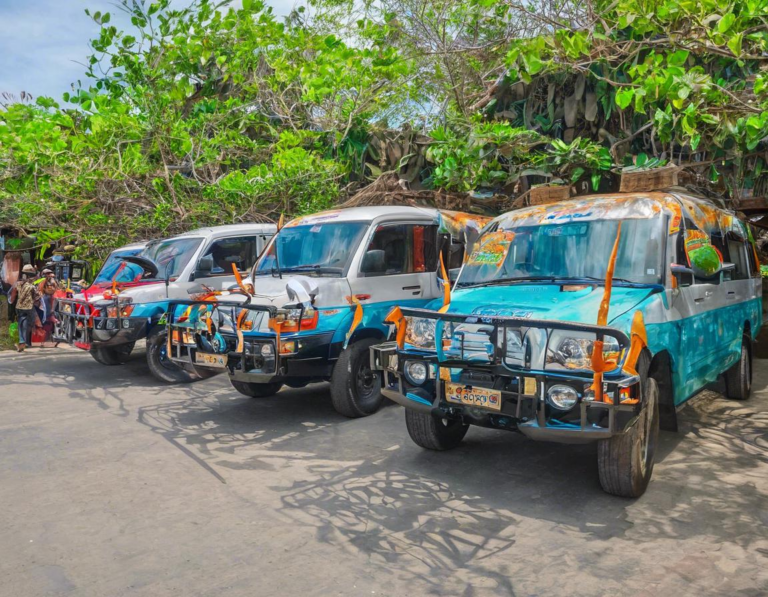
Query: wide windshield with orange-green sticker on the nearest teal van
<point x="579" y="250"/>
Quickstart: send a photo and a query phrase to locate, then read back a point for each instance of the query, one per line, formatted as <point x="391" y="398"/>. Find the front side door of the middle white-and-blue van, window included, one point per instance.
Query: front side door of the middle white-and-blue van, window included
<point x="398" y="266"/>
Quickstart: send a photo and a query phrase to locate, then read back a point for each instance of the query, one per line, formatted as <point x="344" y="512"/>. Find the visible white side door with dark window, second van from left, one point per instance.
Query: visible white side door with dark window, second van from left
<point x="214" y="265"/>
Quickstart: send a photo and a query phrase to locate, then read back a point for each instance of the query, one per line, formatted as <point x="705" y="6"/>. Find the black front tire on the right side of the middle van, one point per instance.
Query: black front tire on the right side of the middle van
<point x="355" y="388"/>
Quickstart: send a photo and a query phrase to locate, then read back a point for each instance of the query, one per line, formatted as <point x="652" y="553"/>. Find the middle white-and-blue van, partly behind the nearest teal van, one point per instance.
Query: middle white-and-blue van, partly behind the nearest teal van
<point x="317" y="301"/>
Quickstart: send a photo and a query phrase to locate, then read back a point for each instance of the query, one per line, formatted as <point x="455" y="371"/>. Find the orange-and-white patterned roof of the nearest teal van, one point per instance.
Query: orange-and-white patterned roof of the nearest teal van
<point x="620" y="206"/>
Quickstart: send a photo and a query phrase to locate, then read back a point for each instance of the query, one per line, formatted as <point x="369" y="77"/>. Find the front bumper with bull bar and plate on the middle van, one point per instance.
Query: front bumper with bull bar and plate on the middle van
<point x="253" y="356"/>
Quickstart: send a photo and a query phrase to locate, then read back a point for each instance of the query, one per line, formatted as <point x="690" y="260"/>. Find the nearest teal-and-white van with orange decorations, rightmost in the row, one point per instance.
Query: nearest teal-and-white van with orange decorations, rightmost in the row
<point x="587" y="320"/>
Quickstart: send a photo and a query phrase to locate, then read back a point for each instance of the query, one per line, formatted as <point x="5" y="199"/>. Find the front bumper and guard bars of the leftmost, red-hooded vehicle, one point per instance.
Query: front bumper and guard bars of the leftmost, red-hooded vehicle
<point x="82" y="326"/>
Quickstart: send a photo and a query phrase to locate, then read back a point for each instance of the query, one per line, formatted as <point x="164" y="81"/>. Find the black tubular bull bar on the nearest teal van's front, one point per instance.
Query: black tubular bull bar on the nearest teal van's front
<point x="530" y="412"/>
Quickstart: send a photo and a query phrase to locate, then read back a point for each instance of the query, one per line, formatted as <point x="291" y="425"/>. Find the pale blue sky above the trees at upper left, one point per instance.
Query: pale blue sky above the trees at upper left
<point x="42" y="41"/>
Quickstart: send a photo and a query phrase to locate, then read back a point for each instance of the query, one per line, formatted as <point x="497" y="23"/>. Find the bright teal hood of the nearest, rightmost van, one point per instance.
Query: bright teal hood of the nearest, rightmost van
<point x="546" y="301"/>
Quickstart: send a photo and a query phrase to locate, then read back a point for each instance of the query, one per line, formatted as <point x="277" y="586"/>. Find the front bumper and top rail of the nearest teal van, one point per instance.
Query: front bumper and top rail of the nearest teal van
<point x="520" y="401"/>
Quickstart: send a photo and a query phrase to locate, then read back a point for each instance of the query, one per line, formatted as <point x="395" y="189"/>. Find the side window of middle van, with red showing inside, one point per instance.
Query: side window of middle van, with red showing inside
<point x="401" y="249"/>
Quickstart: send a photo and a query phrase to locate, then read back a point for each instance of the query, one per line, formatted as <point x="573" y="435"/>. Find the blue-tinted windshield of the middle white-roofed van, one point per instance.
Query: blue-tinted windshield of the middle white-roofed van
<point x="320" y="248"/>
